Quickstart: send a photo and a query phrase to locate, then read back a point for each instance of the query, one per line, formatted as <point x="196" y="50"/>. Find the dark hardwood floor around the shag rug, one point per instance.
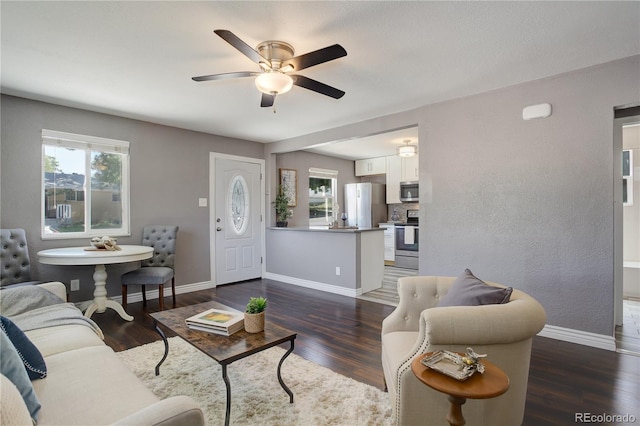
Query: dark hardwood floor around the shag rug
<point x="343" y="334"/>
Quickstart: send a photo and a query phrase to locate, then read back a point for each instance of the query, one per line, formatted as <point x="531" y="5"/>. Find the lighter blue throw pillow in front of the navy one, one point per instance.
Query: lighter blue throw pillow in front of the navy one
<point x="12" y="368"/>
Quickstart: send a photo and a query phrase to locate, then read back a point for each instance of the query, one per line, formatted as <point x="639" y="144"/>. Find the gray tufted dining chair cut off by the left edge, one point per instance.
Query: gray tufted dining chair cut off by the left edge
<point x="16" y="265"/>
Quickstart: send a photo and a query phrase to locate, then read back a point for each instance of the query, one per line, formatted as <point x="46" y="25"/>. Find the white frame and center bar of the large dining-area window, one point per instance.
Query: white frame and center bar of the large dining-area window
<point x="87" y="144"/>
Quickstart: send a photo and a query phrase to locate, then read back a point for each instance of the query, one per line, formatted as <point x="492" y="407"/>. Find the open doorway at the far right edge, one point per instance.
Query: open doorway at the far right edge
<point x="627" y="229"/>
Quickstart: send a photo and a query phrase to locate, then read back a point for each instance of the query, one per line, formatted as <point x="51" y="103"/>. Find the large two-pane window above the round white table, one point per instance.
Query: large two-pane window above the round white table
<point x="85" y="185"/>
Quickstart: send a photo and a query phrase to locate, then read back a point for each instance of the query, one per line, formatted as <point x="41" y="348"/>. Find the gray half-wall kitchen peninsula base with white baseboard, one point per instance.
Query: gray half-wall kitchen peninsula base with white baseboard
<point x="344" y="261"/>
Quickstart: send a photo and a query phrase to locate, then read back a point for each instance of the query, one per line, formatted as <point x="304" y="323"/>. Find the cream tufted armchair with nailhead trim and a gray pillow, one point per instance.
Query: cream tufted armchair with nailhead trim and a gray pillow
<point x="502" y="331"/>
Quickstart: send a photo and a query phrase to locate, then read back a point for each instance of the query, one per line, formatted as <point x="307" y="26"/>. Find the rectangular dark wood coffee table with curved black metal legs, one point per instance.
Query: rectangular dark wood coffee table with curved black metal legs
<point x="223" y="349"/>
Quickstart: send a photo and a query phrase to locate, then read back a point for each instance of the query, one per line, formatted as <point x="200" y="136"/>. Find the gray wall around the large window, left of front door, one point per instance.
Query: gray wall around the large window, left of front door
<point x="169" y="172"/>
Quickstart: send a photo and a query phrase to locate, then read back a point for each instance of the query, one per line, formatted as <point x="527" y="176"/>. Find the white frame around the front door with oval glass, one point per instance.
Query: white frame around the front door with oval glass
<point x="212" y="208"/>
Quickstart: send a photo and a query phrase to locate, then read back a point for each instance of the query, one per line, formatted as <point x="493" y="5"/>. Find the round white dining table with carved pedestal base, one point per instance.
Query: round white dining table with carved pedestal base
<point x="99" y="258"/>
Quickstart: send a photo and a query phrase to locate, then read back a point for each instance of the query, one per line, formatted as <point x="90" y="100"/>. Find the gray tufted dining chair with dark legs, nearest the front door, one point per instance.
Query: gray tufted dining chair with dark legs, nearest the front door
<point x="157" y="270"/>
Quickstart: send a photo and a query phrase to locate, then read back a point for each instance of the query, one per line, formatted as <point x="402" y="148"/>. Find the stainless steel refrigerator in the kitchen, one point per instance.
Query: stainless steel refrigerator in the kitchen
<point x="365" y="204"/>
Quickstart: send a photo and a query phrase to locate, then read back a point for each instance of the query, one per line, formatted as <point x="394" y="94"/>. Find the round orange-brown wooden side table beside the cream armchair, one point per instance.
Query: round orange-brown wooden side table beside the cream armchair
<point x="493" y="382"/>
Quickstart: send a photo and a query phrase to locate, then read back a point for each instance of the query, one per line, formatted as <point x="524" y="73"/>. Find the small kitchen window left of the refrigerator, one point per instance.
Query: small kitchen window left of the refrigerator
<point x="322" y="196"/>
